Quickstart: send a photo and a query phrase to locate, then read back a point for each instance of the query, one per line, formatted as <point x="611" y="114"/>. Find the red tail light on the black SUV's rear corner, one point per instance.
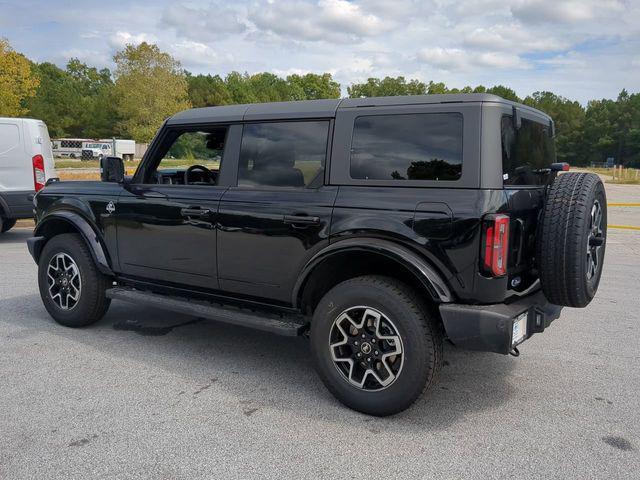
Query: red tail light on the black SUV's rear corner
<point x="495" y="244"/>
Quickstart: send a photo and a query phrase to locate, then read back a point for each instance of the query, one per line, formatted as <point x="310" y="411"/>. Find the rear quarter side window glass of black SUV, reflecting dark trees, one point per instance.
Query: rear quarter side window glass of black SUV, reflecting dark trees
<point x="426" y="146"/>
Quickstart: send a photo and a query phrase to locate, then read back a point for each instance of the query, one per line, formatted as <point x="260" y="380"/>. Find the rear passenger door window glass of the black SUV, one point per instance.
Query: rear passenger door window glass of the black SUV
<point x="283" y="154"/>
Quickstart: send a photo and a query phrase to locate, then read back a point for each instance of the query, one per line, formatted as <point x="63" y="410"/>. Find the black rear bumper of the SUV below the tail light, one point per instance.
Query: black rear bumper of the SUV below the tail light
<point x="490" y="327"/>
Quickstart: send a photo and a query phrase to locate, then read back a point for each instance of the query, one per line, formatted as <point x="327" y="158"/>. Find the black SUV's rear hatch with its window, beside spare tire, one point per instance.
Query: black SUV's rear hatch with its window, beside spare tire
<point x="527" y="154"/>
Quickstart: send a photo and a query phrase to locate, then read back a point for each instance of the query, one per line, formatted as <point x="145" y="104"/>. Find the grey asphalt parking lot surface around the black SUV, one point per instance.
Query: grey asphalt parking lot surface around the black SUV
<point x="146" y="394"/>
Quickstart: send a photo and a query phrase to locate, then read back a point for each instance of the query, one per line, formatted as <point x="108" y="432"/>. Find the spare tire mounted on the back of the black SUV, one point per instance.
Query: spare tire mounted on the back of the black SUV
<point x="572" y="238"/>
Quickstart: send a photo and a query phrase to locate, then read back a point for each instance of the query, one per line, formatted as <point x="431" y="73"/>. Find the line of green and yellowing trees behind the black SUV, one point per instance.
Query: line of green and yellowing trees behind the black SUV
<point x="148" y="85"/>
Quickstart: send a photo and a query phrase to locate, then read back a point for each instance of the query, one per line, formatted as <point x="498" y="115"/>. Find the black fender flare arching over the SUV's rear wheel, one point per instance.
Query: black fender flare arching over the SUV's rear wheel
<point x="417" y="265"/>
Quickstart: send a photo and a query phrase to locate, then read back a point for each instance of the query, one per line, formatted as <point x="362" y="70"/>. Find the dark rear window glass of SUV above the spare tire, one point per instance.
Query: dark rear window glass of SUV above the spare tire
<point x="527" y="153"/>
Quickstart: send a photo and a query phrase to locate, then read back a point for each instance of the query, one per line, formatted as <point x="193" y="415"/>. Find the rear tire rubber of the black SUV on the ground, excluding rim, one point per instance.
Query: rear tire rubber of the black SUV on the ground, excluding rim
<point x="421" y="337"/>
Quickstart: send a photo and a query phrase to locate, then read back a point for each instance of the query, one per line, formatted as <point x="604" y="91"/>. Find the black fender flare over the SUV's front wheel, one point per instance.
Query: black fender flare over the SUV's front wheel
<point x="88" y="233"/>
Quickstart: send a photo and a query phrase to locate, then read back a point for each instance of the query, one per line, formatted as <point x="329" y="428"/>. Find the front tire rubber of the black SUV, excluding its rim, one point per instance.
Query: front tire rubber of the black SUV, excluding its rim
<point x="92" y="303"/>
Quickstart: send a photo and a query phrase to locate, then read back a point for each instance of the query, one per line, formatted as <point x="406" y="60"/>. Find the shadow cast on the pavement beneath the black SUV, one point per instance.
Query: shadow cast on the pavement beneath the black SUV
<point x="256" y="369"/>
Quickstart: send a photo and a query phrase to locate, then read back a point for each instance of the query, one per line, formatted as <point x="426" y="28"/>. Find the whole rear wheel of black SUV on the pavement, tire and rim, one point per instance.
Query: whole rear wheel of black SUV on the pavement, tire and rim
<point x="375" y="345"/>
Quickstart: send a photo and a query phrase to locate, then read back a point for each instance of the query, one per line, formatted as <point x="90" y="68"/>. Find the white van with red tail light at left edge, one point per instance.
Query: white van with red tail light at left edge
<point x="26" y="163"/>
